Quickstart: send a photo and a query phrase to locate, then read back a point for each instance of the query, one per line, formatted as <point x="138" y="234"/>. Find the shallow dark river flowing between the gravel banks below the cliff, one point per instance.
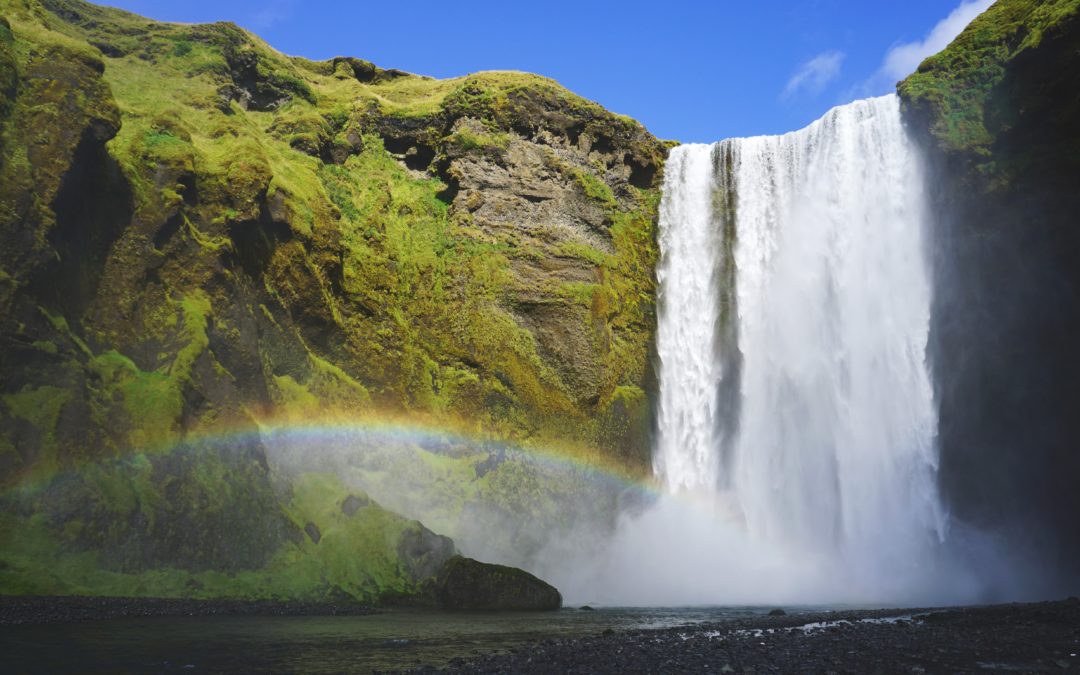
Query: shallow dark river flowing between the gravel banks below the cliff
<point x="390" y="640"/>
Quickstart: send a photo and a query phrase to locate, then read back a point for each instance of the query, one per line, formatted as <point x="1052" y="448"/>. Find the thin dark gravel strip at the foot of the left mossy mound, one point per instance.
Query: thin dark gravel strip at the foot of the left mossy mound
<point x="63" y="610"/>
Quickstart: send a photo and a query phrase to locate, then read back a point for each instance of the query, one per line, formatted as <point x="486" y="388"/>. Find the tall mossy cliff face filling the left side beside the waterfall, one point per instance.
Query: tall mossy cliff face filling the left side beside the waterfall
<point x="198" y="234"/>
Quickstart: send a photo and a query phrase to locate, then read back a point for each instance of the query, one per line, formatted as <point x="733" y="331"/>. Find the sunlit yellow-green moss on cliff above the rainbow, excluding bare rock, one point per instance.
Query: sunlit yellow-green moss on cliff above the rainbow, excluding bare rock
<point x="425" y="303"/>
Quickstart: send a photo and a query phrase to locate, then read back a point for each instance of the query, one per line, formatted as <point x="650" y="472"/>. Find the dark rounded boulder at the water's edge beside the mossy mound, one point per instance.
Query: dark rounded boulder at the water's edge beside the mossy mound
<point x="465" y="584"/>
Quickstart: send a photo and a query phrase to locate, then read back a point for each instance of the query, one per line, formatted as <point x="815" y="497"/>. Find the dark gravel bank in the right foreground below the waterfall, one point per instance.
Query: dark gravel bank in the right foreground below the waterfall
<point x="1043" y="638"/>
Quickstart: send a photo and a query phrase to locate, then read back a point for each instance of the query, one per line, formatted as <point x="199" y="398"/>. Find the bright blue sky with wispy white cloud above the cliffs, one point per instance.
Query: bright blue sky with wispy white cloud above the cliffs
<point x="690" y="71"/>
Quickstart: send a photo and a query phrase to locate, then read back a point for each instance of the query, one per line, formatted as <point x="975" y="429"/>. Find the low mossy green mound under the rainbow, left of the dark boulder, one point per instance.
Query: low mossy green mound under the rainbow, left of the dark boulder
<point x="211" y="521"/>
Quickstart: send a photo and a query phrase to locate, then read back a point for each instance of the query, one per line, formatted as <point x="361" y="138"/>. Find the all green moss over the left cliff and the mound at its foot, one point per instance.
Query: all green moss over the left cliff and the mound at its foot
<point x="330" y="287"/>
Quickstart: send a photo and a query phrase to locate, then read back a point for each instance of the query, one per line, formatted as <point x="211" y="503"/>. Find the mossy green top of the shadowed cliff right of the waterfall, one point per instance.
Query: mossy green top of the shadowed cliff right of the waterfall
<point x="1009" y="69"/>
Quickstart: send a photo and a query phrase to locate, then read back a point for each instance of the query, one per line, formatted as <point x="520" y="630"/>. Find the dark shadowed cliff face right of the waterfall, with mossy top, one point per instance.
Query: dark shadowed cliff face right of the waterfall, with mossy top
<point x="1000" y="113"/>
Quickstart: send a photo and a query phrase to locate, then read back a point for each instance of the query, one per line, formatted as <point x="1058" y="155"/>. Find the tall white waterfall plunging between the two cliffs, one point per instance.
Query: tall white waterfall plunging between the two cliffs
<point x="796" y="414"/>
